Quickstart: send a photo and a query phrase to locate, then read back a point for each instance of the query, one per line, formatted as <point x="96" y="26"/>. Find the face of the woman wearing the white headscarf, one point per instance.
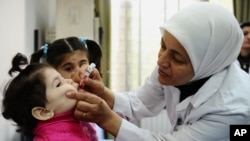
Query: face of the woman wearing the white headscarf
<point x="175" y="67"/>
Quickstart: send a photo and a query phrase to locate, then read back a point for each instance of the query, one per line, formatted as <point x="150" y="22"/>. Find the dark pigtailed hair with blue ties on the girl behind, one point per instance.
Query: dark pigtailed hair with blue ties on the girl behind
<point x="57" y="51"/>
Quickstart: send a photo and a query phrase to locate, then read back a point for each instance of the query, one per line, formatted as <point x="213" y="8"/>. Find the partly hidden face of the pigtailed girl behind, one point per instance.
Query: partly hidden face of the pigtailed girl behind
<point x="72" y="63"/>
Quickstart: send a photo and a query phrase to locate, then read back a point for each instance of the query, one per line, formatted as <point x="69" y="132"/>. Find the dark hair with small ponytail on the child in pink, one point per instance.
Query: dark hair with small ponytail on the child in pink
<point x="22" y="93"/>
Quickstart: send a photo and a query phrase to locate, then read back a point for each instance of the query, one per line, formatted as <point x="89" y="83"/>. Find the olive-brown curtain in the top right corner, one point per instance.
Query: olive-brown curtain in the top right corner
<point x="242" y="10"/>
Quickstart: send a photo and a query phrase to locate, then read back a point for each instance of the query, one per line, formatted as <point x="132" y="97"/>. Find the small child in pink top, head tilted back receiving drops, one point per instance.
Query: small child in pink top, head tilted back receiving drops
<point x="35" y="100"/>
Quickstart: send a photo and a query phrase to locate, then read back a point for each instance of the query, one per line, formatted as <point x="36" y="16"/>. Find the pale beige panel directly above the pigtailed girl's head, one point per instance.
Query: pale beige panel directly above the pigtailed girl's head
<point x="75" y="18"/>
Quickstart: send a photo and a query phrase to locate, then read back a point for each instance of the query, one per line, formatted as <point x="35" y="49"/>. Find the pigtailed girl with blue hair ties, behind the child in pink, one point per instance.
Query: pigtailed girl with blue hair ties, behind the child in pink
<point x="68" y="55"/>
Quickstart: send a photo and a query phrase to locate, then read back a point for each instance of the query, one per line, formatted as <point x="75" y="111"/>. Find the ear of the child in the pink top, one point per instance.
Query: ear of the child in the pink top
<point x="42" y="113"/>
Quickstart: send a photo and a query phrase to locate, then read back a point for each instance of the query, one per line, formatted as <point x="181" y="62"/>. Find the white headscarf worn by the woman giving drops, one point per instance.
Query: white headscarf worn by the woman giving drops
<point x="210" y="34"/>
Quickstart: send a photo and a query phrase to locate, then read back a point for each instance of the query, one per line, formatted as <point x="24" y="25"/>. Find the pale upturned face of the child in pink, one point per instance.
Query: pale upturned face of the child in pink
<point x="56" y="89"/>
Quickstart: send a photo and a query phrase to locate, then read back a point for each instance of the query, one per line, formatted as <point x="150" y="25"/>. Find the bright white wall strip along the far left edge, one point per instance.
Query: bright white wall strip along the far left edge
<point x="12" y="40"/>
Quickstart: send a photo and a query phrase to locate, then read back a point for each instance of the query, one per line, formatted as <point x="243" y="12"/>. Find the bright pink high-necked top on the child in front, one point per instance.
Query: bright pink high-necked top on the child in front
<point x="64" y="127"/>
